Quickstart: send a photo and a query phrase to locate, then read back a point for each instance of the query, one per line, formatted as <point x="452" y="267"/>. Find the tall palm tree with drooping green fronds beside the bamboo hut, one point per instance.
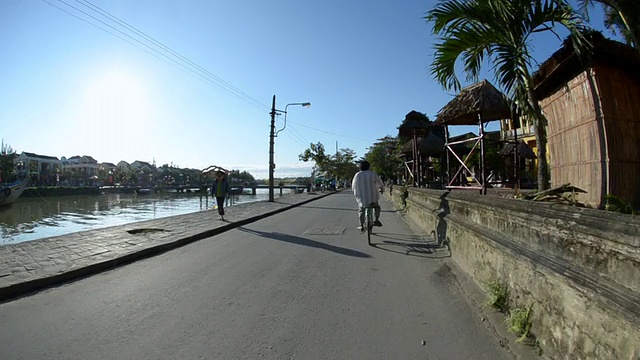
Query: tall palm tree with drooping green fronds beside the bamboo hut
<point x="499" y="31"/>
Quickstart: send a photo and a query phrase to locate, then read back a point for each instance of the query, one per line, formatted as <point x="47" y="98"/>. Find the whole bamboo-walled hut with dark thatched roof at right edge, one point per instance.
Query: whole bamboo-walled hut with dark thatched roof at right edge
<point x="592" y="110"/>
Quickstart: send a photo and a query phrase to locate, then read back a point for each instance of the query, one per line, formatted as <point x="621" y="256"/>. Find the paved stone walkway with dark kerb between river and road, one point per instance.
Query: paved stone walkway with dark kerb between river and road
<point x="34" y="265"/>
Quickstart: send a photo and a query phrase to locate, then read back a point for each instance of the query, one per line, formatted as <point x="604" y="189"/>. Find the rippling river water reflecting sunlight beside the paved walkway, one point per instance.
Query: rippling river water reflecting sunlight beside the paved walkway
<point x="31" y="219"/>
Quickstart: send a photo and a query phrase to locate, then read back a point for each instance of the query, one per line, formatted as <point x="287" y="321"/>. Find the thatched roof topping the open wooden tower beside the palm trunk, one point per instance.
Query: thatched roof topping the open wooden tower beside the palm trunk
<point x="480" y="99"/>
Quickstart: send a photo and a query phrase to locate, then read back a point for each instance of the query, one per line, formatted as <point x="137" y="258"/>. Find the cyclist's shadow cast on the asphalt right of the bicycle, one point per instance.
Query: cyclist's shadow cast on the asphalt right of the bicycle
<point x="410" y="245"/>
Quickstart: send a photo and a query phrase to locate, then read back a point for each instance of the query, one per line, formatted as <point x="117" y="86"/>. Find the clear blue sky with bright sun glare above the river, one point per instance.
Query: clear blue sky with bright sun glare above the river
<point x="201" y="94"/>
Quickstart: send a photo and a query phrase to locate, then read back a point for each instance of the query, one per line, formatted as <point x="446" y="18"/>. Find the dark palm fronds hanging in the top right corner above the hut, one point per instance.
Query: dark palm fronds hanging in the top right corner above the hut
<point x="623" y="15"/>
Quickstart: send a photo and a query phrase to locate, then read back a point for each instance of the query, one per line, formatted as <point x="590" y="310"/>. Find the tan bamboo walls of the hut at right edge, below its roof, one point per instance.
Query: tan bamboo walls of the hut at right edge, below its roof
<point x="599" y="154"/>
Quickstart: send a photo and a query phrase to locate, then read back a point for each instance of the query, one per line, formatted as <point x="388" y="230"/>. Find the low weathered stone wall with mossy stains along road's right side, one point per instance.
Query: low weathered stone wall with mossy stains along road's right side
<point x="574" y="271"/>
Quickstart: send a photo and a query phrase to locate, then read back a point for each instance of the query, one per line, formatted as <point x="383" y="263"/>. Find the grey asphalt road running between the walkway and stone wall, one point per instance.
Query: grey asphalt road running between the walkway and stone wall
<point x="302" y="284"/>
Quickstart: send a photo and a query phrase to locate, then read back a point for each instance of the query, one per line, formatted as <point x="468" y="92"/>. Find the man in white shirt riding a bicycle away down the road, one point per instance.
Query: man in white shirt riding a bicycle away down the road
<point x="366" y="185"/>
